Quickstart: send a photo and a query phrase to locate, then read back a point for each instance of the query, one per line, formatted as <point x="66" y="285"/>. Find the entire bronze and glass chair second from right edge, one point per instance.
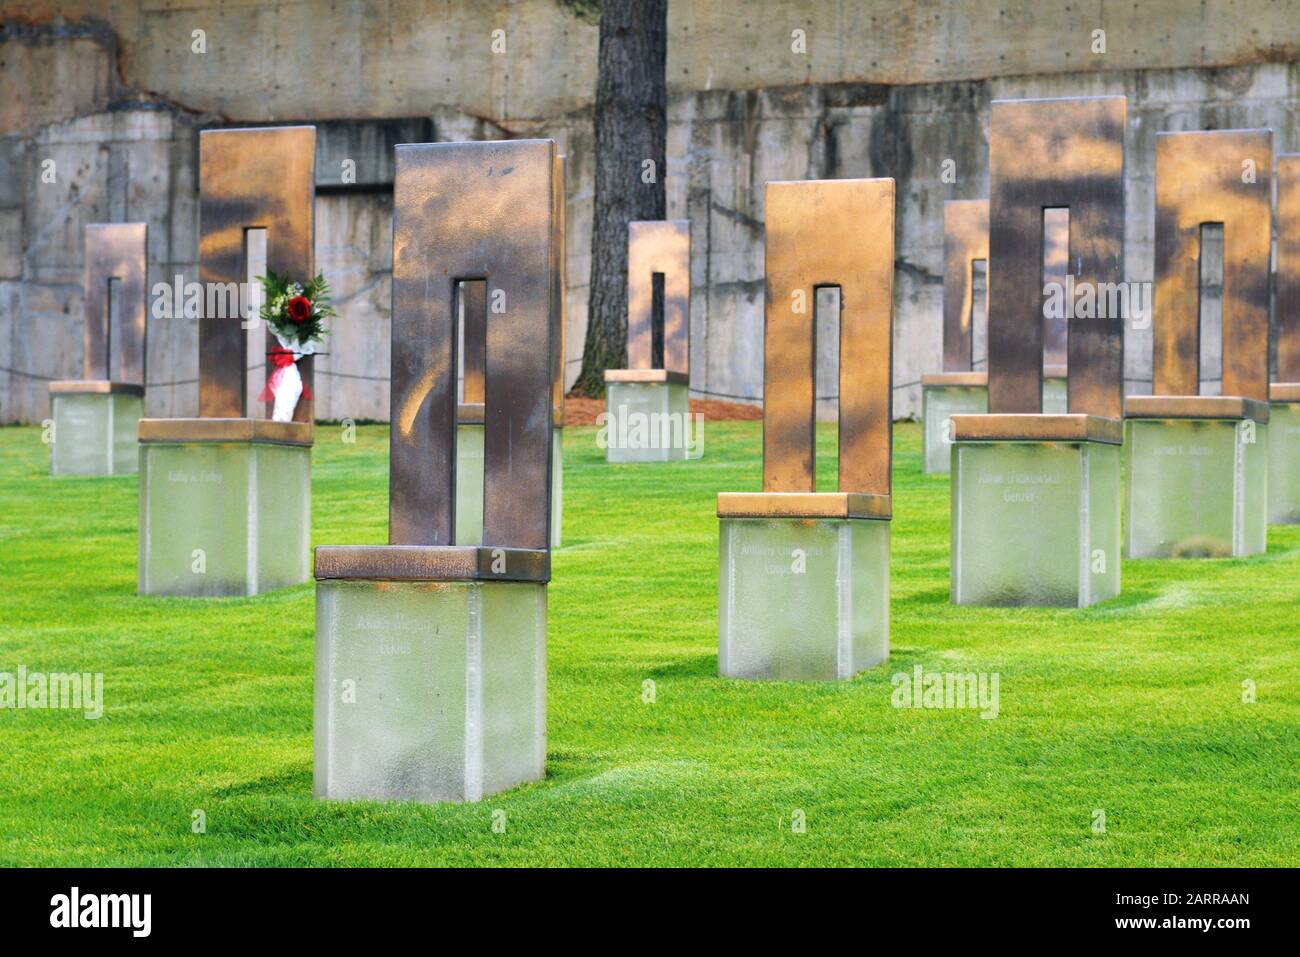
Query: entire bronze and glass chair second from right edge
<point x="1197" y="482"/>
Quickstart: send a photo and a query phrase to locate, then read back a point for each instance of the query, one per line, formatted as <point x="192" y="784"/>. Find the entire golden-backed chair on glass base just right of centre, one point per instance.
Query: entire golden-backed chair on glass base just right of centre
<point x="804" y="575"/>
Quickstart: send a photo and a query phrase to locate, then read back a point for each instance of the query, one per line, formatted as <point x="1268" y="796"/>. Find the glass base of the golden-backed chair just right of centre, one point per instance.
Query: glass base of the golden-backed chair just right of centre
<point x="803" y="599"/>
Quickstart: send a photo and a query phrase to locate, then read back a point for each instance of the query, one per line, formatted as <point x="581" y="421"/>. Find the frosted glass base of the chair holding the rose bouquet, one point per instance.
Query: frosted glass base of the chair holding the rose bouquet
<point x="224" y="518"/>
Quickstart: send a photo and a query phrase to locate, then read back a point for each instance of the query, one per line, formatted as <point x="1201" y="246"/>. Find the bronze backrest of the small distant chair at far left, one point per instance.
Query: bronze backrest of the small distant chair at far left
<point x="116" y="252"/>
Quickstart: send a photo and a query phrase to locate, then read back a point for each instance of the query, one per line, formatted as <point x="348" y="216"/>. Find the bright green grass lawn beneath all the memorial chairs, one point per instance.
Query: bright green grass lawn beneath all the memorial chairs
<point x="1134" y="707"/>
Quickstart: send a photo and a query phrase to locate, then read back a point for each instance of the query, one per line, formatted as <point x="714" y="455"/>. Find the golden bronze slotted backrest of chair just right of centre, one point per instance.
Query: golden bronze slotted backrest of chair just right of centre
<point x="829" y="233"/>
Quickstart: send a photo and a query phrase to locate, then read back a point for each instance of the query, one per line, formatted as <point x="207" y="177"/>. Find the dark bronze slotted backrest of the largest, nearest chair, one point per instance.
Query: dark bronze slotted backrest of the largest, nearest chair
<point x="473" y="211"/>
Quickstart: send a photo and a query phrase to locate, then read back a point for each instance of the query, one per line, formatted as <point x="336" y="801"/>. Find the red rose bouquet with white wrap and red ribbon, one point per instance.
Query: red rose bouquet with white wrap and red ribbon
<point x="297" y="317"/>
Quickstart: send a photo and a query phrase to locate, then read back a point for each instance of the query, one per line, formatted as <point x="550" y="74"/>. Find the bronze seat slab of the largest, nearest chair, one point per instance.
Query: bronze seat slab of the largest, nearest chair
<point x="432" y="564"/>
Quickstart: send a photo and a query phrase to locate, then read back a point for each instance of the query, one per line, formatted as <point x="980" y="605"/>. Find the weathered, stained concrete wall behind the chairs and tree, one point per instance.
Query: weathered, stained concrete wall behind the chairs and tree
<point x="115" y="94"/>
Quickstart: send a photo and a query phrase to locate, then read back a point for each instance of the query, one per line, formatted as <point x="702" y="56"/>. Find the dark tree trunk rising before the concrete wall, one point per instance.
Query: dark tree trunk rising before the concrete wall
<point x="631" y="128"/>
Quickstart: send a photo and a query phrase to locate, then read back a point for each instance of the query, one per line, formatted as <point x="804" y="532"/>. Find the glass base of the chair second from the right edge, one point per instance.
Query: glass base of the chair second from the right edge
<point x="1197" y="488"/>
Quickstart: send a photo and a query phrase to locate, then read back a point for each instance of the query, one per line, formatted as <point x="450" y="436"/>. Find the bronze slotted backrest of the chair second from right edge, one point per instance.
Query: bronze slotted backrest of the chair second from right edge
<point x="1220" y="176"/>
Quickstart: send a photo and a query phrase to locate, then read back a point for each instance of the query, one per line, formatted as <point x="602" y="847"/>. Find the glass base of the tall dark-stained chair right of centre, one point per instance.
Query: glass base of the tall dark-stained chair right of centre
<point x="1035" y="523"/>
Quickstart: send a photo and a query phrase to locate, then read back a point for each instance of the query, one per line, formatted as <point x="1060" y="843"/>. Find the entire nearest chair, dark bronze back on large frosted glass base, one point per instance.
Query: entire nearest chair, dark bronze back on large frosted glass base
<point x="431" y="655"/>
